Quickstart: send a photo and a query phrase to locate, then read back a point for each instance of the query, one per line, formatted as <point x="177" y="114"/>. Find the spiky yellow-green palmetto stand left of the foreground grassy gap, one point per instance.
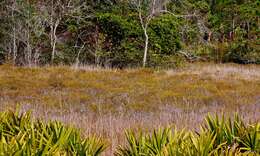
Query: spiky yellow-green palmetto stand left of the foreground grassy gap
<point x="21" y="136"/>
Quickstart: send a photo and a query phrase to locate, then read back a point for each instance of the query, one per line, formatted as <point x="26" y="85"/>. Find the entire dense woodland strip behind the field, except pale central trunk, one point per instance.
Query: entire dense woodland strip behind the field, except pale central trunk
<point x="109" y="33"/>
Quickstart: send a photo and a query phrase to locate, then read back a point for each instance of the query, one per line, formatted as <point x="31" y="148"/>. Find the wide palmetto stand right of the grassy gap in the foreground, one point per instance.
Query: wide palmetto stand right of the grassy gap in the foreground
<point x="217" y="137"/>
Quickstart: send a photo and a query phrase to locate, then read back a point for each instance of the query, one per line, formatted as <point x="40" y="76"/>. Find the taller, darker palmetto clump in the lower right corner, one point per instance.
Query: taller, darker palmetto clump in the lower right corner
<point x="234" y="132"/>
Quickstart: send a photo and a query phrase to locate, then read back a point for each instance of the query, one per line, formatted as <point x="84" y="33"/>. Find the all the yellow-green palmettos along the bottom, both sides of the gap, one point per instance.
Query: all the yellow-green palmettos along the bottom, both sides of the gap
<point x="218" y="136"/>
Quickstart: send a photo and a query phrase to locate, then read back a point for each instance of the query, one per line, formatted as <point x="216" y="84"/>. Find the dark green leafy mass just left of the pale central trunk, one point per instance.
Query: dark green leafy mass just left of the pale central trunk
<point x="121" y="39"/>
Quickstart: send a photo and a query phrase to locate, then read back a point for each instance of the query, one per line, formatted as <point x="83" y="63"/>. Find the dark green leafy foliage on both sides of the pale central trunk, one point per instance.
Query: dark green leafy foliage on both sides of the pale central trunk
<point x="125" y="38"/>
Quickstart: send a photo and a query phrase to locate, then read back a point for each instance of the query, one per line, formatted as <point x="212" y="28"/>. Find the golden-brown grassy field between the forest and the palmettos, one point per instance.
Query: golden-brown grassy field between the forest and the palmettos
<point x="106" y="102"/>
